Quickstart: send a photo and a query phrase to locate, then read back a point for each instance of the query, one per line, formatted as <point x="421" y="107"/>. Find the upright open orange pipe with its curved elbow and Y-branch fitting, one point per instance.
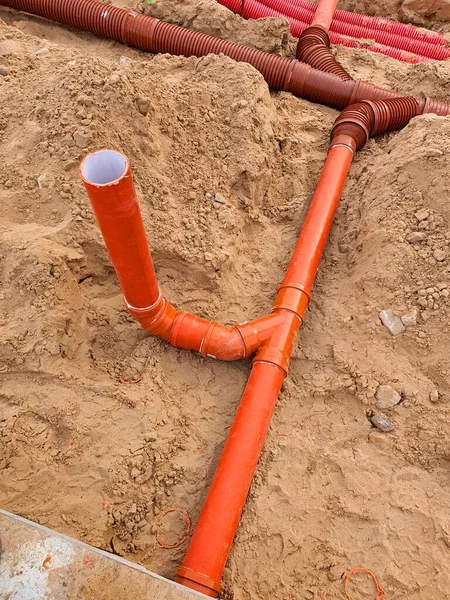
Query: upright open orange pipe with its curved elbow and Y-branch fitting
<point x="107" y="177"/>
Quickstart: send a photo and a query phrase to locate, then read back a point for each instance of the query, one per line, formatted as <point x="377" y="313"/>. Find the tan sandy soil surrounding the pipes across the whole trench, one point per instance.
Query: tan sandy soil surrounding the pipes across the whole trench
<point x="86" y="455"/>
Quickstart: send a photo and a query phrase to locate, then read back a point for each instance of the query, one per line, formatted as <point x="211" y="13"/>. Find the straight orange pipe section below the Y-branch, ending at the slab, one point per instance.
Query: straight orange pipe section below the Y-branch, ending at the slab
<point x="210" y="544"/>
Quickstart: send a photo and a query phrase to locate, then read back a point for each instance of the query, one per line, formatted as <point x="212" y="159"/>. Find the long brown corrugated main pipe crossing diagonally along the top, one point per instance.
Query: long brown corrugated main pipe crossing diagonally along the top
<point x="151" y="35"/>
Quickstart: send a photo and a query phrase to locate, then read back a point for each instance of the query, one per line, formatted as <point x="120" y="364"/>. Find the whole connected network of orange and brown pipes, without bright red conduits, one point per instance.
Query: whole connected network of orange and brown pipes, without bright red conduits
<point x="366" y="111"/>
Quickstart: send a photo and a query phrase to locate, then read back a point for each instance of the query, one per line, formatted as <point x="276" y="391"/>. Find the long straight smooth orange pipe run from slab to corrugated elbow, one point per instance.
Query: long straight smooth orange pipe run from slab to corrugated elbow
<point x="211" y="542"/>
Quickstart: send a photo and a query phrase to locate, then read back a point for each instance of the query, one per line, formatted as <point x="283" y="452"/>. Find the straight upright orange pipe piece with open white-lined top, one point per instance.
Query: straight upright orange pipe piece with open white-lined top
<point x="107" y="177"/>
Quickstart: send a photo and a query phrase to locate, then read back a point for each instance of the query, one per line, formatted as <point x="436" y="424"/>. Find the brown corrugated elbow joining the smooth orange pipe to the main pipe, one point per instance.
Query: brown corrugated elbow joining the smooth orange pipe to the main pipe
<point x="369" y="118"/>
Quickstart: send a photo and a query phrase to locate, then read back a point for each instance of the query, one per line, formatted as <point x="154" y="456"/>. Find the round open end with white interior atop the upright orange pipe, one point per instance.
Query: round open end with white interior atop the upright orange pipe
<point x="104" y="168"/>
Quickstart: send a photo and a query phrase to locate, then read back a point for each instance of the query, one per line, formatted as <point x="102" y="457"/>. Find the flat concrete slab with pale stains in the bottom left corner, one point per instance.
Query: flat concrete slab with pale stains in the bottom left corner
<point x="37" y="563"/>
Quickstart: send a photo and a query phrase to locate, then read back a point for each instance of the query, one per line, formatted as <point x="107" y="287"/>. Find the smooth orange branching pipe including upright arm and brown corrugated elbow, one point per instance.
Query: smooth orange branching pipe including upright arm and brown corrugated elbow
<point x="108" y="181"/>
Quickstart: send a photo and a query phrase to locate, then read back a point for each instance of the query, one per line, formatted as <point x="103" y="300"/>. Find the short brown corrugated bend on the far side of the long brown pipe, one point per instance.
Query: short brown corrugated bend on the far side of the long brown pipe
<point x="313" y="48"/>
